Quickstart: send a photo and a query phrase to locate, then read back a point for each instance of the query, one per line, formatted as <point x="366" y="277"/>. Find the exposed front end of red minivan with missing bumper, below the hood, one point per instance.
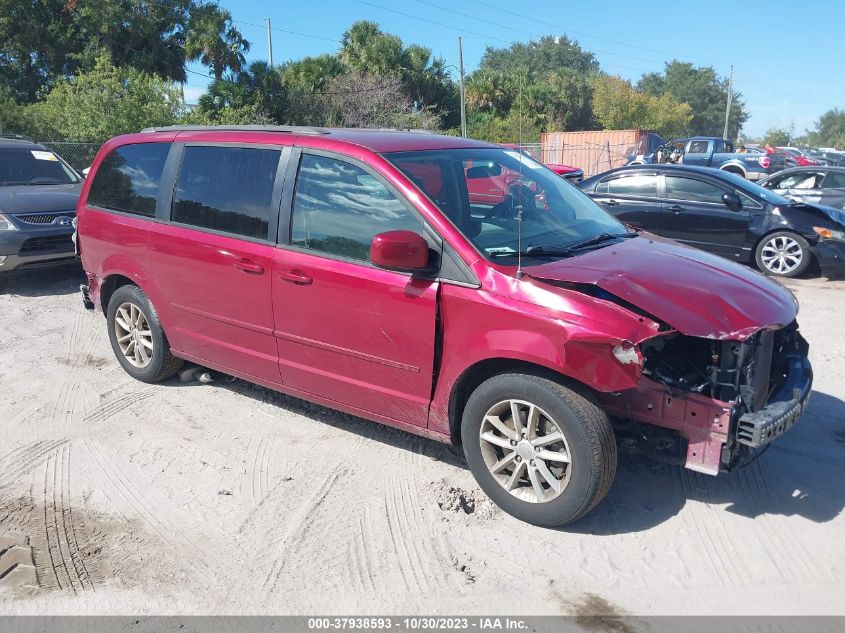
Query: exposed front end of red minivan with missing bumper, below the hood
<point x="719" y="399"/>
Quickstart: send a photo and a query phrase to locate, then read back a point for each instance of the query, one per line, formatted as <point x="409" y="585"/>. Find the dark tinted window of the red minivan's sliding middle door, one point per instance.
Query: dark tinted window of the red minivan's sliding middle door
<point x="227" y="189"/>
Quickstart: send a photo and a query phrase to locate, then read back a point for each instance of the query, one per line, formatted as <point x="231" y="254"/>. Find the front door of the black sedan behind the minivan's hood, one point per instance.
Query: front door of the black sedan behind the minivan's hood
<point x="695" y="214"/>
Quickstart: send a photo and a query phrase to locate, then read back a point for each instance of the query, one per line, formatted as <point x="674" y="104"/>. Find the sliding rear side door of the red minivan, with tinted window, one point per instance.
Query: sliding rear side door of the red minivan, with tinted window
<point x="213" y="260"/>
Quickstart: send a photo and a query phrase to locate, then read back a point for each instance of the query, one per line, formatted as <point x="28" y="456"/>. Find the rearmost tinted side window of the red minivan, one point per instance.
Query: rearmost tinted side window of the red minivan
<point x="128" y="178"/>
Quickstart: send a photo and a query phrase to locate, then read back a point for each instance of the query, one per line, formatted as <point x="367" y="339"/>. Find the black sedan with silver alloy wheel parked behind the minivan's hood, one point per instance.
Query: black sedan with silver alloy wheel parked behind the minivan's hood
<point x="725" y="214"/>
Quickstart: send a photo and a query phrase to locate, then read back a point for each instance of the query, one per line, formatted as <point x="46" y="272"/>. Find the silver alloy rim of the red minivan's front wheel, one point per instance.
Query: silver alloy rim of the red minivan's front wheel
<point x="525" y="451"/>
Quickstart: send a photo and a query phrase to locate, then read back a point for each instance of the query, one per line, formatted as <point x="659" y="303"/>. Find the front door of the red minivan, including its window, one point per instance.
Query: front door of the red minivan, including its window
<point x="349" y="332"/>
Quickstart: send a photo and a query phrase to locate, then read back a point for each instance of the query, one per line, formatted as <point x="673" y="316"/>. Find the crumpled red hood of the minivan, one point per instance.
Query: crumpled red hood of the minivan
<point x="694" y="292"/>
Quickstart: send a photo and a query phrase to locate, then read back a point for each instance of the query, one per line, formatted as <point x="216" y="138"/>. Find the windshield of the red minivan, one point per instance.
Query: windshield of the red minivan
<point x="488" y="192"/>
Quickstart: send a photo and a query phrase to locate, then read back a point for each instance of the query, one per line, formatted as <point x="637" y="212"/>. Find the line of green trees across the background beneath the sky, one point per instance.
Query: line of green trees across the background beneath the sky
<point x="86" y="70"/>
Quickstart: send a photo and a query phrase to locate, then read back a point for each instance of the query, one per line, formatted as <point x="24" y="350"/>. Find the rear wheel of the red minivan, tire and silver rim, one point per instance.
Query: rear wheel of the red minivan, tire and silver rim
<point x="137" y="338"/>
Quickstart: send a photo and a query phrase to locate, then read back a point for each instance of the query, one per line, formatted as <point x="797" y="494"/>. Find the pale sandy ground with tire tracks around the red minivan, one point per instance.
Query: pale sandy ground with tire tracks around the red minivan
<point x="227" y="498"/>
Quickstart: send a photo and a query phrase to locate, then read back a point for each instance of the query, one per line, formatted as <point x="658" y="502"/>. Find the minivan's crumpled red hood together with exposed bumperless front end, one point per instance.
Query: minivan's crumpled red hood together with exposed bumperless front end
<point x="727" y="370"/>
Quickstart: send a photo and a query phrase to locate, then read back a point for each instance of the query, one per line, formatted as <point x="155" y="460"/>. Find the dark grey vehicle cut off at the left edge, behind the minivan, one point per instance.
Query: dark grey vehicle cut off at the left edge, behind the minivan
<point x="38" y="194"/>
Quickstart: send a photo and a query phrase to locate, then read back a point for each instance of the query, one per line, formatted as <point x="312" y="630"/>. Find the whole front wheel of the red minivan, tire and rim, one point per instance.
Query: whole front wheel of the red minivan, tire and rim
<point x="541" y="451"/>
